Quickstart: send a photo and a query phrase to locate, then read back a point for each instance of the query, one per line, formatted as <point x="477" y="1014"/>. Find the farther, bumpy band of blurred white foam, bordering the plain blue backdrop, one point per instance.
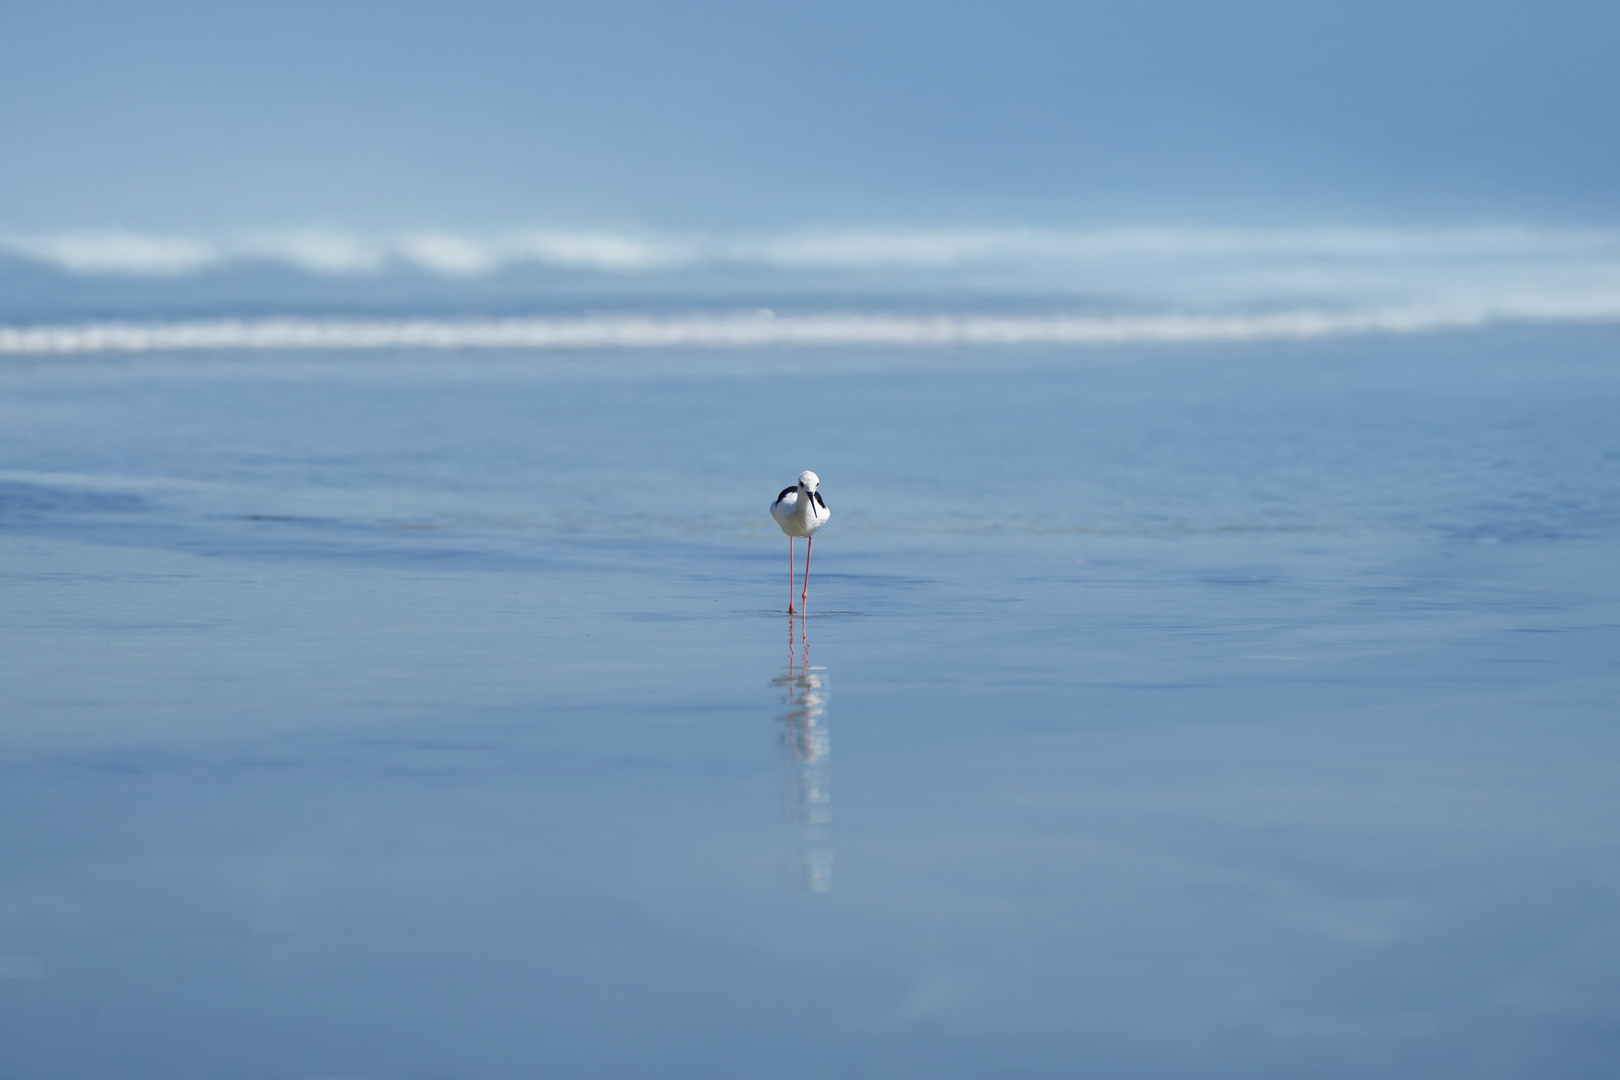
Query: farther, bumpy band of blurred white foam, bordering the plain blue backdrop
<point x="944" y="249"/>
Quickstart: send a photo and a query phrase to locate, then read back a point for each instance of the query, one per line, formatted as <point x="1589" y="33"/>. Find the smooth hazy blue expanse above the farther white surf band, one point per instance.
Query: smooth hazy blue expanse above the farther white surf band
<point x="681" y="116"/>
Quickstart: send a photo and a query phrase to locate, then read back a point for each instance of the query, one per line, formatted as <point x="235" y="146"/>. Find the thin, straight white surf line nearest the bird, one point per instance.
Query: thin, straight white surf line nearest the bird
<point x="762" y="330"/>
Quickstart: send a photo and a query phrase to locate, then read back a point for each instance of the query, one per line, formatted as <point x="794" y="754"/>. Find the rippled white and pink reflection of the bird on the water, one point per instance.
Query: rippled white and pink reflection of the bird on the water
<point x="806" y="750"/>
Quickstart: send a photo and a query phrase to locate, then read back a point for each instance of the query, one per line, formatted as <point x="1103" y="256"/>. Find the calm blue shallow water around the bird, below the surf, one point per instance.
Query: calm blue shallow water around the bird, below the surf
<point x="1230" y="712"/>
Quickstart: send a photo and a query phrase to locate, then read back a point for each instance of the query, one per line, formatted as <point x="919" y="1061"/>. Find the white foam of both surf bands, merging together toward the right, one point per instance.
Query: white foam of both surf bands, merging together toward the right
<point x="1140" y="284"/>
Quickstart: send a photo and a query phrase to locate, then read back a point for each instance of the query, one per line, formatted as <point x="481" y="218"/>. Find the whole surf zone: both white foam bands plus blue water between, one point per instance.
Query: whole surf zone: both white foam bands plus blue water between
<point x="1070" y="287"/>
